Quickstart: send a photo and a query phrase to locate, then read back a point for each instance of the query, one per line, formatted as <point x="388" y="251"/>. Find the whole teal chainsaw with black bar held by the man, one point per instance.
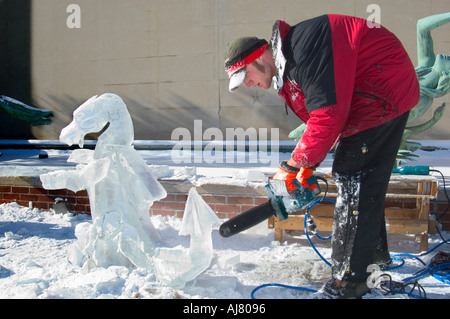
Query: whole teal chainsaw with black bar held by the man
<point x="281" y="204"/>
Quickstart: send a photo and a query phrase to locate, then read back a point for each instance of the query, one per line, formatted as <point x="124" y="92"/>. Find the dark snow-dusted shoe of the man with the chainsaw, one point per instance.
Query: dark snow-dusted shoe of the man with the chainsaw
<point x="347" y="290"/>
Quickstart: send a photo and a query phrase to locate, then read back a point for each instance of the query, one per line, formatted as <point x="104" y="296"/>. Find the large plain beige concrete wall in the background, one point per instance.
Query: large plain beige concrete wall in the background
<point x="165" y="58"/>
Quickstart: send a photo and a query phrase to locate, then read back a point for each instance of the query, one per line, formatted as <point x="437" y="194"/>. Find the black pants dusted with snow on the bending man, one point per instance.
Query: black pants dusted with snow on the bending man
<point x="361" y="170"/>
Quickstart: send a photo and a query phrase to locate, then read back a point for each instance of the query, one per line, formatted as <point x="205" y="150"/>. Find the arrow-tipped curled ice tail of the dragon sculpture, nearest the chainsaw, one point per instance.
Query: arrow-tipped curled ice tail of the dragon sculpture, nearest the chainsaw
<point x="176" y="266"/>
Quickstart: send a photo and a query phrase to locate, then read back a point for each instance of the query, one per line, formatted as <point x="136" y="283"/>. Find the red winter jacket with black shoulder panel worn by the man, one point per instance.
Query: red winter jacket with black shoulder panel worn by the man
<point x="340" y="77"/>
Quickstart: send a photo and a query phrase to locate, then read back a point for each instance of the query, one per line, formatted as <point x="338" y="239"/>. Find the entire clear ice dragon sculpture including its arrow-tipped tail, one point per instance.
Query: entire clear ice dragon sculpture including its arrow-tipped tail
<point x="121" y="190"/>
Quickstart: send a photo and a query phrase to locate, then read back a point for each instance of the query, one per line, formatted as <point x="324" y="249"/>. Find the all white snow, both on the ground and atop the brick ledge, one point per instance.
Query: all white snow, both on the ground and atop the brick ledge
<point x="34" y="244"/>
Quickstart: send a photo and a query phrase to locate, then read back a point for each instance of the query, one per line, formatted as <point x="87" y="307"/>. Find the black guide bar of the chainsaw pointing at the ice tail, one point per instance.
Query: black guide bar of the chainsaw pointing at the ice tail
<point x="246" y="220"/>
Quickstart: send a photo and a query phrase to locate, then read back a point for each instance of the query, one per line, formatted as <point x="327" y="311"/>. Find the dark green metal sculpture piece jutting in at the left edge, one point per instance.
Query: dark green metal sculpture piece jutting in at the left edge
<point x="25" y="112"/>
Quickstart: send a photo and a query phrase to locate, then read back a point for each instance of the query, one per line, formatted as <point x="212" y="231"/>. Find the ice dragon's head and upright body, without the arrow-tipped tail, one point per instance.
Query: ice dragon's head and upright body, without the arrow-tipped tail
<point x="119" y="183"/>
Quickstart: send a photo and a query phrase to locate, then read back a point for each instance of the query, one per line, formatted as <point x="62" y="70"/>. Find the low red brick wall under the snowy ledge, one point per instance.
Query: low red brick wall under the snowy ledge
<point x="227" y="201"/>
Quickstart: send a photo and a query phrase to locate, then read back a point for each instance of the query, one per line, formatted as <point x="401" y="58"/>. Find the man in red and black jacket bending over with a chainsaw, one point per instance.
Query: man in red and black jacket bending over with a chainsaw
<point x="353" y="85"/>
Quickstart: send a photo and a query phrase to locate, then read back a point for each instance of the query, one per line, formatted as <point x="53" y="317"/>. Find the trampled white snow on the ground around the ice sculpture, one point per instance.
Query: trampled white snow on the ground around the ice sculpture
<point x="34" y="247"/>
